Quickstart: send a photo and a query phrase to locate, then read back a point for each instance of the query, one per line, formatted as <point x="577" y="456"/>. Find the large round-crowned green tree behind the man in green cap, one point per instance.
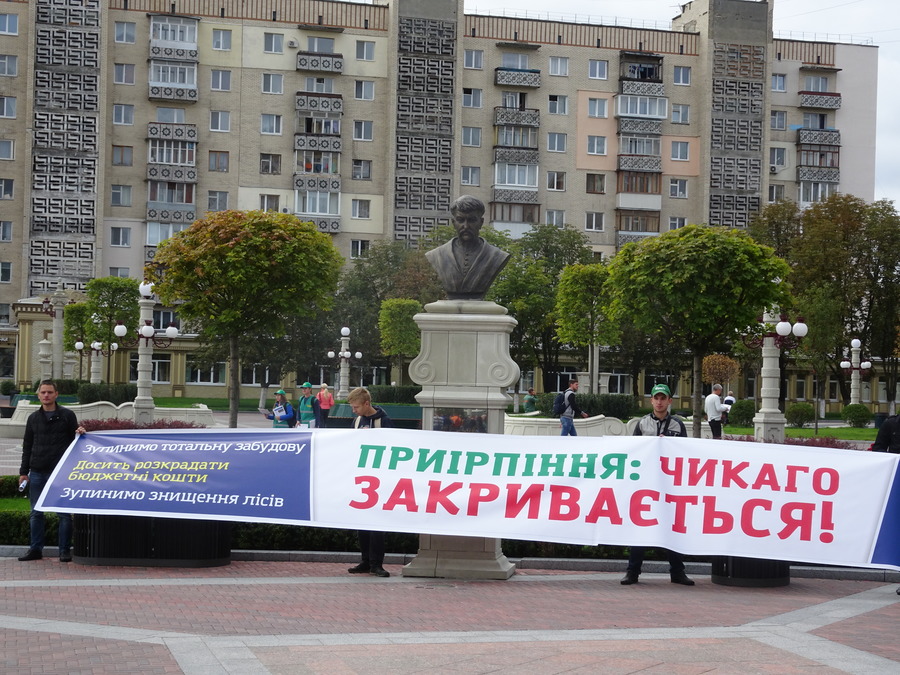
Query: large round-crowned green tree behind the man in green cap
<point x="700" y="285"/>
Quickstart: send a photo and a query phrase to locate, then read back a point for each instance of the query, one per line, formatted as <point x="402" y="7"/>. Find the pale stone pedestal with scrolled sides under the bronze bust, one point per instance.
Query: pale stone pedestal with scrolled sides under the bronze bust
<point x="464" y="365"/>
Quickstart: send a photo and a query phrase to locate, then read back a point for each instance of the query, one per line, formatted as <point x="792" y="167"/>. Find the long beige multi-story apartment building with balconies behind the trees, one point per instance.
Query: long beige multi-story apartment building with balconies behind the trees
<point x="124" y="120"/>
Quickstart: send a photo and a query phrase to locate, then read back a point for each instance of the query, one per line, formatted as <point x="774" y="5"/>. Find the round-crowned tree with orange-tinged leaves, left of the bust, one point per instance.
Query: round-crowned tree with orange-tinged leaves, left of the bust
<point x="238" y="275"/>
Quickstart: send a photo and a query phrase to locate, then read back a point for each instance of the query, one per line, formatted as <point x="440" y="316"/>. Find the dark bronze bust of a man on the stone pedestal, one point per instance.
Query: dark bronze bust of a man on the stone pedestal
<point x="467" y="265"/>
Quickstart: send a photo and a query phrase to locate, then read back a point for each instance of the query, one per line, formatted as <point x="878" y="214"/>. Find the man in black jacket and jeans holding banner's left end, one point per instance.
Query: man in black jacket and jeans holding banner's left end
<point x="48" y="432"/>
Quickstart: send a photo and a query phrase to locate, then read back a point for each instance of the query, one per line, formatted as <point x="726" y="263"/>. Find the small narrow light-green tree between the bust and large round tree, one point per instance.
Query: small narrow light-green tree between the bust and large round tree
<point x="580" y="310"/>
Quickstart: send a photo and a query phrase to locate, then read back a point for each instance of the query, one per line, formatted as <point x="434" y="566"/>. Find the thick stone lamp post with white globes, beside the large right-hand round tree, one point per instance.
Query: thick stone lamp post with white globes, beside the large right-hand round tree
<point x="768" y="424"/>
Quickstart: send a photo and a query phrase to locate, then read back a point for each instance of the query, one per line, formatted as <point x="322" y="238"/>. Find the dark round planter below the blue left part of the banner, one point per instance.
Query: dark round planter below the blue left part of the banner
<point x="150" y="541"/>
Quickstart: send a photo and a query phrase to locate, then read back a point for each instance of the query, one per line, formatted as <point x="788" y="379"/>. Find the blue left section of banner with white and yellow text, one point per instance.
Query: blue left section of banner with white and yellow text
<point x="253" y="476"/>
